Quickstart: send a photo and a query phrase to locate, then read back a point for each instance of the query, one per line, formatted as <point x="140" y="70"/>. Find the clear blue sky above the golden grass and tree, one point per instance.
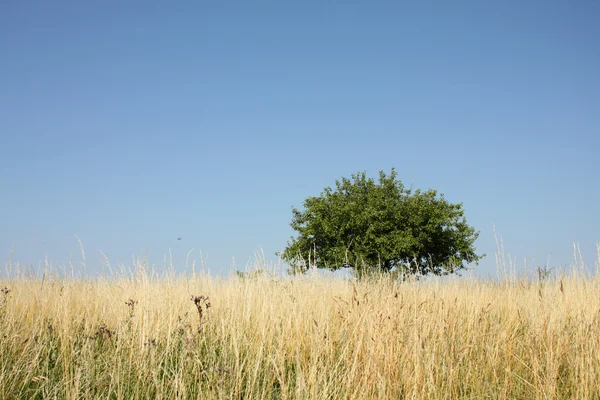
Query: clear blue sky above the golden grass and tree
<point x="133" y="123"/>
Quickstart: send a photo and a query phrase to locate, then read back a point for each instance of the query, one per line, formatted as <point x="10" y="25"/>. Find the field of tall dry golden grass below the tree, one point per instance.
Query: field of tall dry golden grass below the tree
<point x="144" y="336"/>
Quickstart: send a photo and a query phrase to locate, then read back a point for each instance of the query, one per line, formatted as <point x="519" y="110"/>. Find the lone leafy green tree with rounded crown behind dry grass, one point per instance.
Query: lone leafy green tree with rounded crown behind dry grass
<point x="381" y="227"/>
